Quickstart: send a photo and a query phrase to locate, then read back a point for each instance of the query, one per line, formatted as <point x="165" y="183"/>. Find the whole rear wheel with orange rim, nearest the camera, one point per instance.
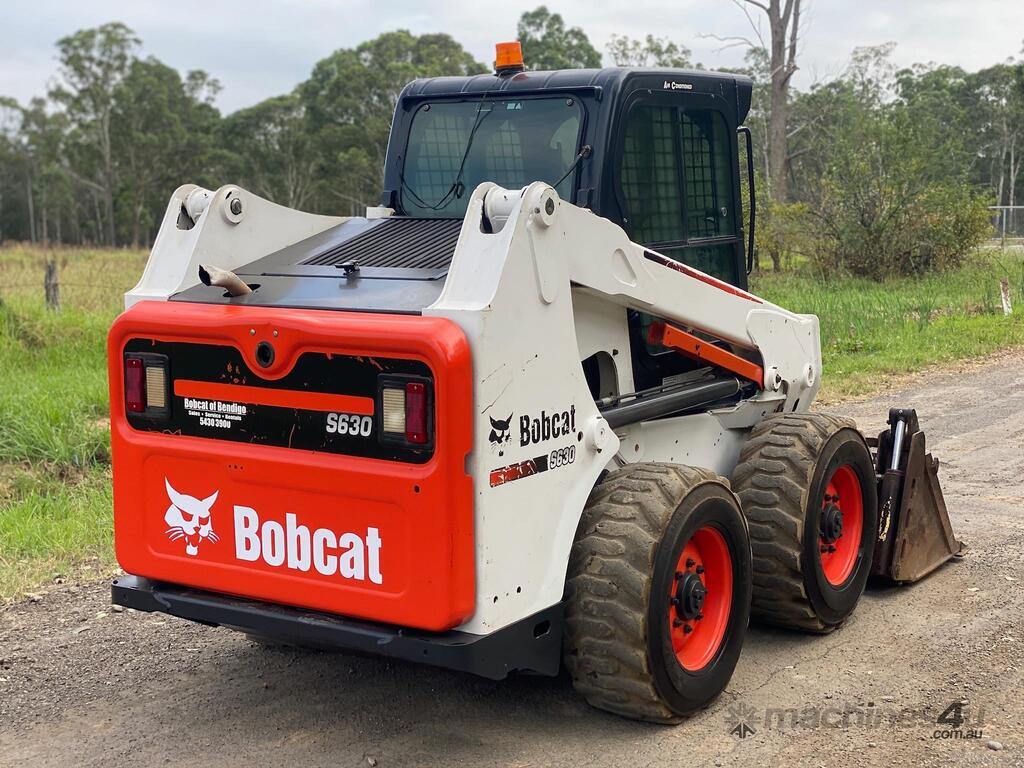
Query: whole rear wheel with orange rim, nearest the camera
<point x="626" y="644"/>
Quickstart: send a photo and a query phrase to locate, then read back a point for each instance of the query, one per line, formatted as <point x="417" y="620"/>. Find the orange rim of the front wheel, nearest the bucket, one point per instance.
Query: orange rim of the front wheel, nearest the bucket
<point x="841" y="526"/>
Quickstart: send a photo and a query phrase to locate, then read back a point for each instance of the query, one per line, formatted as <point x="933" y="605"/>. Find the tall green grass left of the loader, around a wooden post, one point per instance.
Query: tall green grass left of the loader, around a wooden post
<point x="55" y="438"/>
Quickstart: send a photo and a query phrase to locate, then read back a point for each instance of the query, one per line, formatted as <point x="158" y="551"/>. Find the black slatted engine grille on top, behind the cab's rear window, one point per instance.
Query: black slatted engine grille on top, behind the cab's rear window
<point x="398" y="243"/>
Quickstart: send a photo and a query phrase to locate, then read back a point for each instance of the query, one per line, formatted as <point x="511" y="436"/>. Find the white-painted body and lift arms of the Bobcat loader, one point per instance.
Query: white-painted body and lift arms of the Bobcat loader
<point x="537" y="285"/>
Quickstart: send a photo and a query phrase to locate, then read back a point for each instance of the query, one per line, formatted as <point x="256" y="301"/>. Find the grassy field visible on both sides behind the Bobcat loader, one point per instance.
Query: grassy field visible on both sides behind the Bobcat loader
<point x="55" y="461"/>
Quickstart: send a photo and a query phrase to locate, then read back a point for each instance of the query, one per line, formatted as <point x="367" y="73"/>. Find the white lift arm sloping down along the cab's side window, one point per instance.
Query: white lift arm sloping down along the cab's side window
<point x="598" y="257"/>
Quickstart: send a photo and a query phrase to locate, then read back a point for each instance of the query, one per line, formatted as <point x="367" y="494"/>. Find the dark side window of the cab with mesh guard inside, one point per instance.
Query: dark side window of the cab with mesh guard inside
<point x="676" y="181"/>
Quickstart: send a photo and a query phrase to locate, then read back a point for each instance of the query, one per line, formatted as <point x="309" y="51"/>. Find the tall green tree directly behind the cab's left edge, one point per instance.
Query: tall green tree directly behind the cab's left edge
<point x="350" y="102"/>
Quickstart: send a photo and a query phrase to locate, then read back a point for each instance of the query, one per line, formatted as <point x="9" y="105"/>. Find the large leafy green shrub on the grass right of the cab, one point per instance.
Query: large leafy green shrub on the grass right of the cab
<point x="893" y="198"/>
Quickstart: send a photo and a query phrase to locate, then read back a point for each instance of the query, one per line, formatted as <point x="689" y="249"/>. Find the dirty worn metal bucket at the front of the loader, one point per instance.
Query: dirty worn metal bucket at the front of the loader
<point x="915" y="534"/>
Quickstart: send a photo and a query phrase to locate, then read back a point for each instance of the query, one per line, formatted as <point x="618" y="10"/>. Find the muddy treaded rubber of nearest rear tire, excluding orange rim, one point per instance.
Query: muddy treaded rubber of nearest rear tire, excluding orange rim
<point x="617" y="562"/>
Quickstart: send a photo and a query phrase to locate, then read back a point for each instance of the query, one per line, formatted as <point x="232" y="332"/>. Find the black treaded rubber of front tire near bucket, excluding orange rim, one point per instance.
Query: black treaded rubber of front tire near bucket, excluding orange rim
<point x="779" y="471"/>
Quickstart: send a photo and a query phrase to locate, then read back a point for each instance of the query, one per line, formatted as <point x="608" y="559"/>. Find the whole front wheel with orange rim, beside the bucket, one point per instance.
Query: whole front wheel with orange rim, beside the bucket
<point x="802" y="479"/>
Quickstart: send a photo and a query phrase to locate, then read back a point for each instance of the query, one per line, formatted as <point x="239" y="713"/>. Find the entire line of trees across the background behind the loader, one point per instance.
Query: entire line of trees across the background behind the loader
<point x="877" y="170"/>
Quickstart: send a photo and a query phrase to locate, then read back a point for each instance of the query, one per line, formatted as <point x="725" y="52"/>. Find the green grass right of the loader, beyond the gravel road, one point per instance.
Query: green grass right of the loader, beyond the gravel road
<point x="875" y="332"/>
